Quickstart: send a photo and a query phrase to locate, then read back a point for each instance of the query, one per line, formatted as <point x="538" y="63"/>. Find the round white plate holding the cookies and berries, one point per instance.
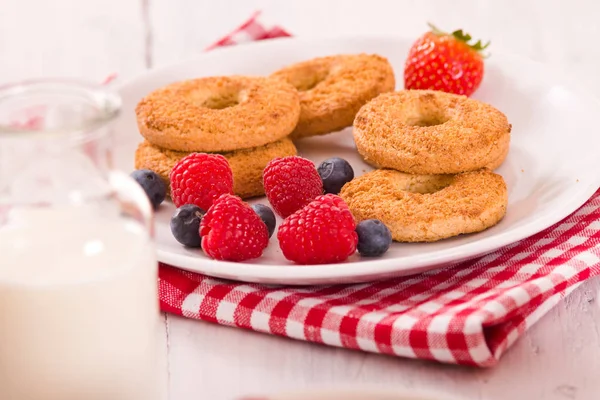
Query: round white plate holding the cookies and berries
<point x="550" y="170"/>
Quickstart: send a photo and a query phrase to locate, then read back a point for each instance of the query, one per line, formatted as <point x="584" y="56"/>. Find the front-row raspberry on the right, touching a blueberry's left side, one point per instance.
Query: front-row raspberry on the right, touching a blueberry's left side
<point x="322" y="232"/>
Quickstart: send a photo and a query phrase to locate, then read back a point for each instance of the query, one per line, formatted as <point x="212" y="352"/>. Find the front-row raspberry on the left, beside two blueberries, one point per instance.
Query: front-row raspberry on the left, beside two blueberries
<point x="232" y="231"/>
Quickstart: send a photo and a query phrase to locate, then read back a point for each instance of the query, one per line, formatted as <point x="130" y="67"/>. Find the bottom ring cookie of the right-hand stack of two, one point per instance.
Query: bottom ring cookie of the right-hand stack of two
<point x="426" y="208"/>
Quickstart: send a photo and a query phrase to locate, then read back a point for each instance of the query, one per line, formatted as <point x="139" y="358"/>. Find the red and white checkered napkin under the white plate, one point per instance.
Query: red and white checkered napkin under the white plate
<point x="469" y="313"/>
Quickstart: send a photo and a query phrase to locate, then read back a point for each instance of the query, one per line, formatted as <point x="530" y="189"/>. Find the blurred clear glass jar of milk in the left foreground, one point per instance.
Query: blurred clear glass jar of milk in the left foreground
<point x="78" y="272"/>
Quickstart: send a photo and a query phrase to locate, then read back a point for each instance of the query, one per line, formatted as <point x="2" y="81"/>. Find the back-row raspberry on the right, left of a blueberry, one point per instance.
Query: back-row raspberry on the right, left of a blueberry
<point x="291" y="183"/>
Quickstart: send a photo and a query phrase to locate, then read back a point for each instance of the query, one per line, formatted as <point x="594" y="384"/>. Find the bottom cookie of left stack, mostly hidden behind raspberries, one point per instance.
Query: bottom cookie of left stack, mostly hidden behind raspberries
<point x="247" y="165"/>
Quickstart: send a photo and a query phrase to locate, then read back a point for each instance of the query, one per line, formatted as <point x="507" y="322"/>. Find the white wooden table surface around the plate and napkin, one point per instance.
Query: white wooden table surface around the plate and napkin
<point x="558" y="359"/>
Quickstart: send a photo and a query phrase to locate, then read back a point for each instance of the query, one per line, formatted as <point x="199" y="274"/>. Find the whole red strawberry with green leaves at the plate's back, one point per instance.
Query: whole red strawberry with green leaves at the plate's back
<point x="445" y="62"/>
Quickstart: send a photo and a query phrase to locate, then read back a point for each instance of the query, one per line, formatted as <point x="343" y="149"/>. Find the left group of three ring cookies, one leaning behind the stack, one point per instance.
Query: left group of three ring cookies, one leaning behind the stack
<point x="252" y="120"/>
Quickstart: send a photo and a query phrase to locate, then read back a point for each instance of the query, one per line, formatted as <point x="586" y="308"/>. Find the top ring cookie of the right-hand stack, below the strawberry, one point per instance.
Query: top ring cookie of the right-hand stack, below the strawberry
<point x="431" y="132"/>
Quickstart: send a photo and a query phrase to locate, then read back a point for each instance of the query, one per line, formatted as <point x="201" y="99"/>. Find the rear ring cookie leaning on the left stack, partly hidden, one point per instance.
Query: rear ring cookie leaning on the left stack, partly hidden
<point x="332" y="89"/>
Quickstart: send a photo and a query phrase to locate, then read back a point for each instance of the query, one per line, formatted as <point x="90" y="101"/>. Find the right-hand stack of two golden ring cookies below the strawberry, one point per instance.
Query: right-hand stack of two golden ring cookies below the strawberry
<point x="436" y="153"/>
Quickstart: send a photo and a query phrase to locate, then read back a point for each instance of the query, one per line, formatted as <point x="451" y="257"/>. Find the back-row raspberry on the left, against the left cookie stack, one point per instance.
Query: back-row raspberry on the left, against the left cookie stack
<point x="199" y="178"/>
